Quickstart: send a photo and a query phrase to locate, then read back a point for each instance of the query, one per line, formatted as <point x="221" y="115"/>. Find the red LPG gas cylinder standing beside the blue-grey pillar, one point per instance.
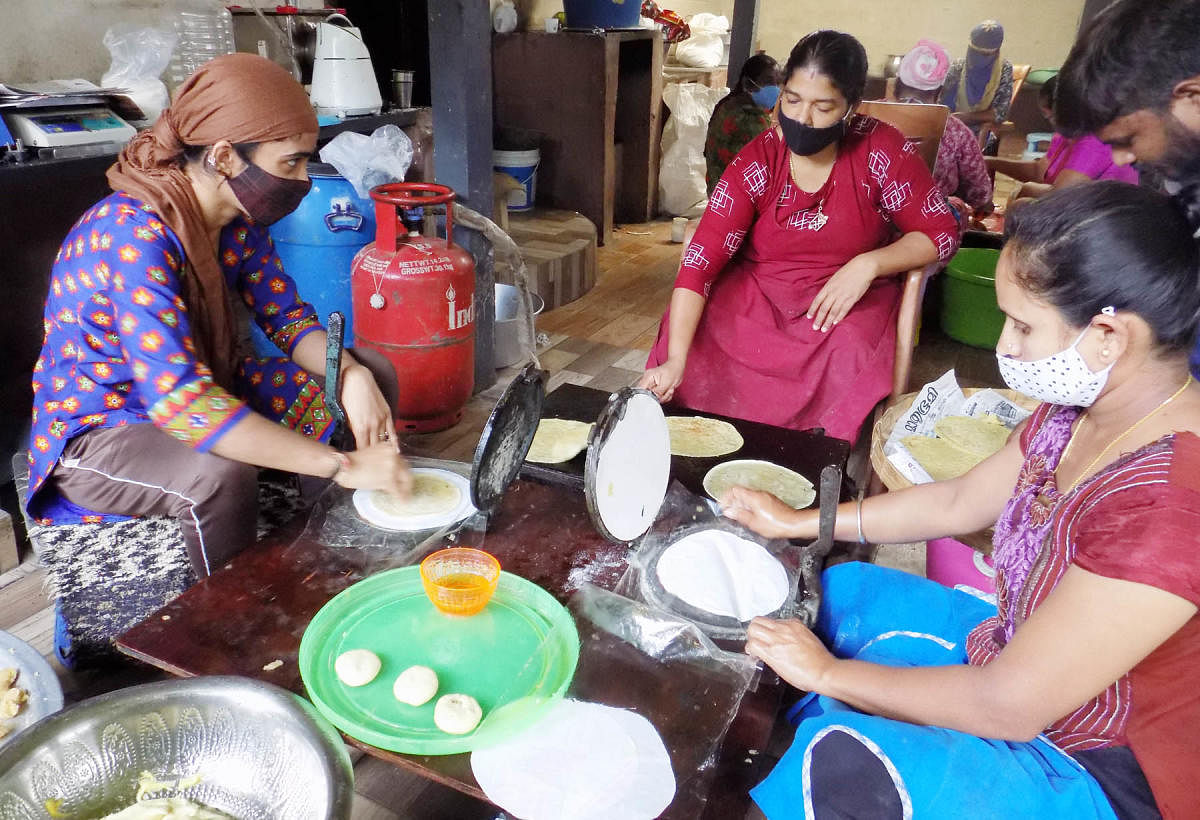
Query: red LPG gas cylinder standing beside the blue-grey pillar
<point x="415" y="302"/>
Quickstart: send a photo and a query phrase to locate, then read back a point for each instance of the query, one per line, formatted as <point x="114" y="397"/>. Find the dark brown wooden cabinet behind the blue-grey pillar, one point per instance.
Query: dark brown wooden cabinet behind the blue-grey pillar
<point x="596" y="101"/>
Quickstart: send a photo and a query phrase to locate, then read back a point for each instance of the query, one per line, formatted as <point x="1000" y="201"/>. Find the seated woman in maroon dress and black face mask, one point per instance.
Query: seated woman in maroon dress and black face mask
<point x="784" y="310"/>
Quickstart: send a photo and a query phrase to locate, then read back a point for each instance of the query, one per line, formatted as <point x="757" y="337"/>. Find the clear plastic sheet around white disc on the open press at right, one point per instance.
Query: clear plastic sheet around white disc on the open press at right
<point x="685" y="513"/>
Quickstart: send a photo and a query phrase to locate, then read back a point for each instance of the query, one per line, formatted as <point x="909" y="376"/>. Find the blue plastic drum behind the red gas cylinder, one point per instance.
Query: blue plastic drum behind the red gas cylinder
<point x="317" y="243"/>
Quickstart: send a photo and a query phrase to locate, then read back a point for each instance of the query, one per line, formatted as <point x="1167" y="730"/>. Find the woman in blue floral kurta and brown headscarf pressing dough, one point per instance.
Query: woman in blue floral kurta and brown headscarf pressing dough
<point x="142" y="404"/>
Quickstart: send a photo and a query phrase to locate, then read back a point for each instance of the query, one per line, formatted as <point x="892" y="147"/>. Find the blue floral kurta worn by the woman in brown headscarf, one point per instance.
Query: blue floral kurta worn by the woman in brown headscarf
<point x="118" y="348"/>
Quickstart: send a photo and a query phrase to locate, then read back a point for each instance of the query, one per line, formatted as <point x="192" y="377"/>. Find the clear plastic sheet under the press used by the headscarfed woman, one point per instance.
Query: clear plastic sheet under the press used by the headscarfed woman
<point x="334" y="523"/>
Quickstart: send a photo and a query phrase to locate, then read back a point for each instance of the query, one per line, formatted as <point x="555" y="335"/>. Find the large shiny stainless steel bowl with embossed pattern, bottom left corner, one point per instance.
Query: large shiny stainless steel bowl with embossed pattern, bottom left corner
<point x="259" y="752"/>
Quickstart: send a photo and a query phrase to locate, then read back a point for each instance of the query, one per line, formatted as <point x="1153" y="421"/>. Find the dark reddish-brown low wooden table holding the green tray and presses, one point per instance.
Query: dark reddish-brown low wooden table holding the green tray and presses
<point x="256" y="609"/>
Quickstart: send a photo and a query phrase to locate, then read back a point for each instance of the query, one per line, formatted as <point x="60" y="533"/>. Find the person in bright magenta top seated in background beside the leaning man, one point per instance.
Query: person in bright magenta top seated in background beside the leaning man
<point x="1070" y="161"/>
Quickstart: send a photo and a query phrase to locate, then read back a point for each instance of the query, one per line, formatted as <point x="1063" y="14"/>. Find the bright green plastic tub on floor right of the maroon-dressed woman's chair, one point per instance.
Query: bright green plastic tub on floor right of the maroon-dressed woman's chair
<point x="970" y="314"/>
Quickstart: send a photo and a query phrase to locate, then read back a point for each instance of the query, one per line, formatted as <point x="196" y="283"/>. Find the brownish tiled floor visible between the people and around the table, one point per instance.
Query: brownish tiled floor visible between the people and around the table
<point x="599" y="340"/>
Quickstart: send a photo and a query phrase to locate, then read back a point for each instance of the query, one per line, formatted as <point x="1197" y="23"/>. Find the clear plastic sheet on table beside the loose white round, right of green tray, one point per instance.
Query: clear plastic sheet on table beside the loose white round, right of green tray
<point x="682" y="683"/>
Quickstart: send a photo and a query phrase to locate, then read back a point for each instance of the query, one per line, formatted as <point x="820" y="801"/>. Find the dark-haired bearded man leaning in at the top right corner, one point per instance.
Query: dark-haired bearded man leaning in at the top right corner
<point x="1133" y="80"/>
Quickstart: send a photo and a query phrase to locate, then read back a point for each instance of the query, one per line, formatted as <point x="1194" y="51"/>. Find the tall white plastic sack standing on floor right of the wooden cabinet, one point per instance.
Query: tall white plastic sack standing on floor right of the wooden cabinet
<point x="682" y="190"/>
